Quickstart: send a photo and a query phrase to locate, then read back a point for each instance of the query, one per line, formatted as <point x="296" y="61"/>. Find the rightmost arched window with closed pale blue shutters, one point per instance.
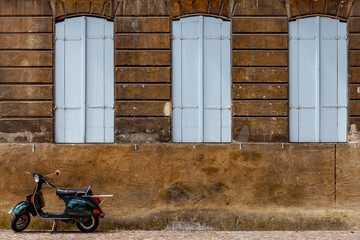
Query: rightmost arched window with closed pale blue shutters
<point x="318" y="80"/>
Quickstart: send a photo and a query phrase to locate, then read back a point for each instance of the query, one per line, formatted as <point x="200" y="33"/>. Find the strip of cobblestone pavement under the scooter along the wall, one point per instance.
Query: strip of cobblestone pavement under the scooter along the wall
<point x="196" y="235"/>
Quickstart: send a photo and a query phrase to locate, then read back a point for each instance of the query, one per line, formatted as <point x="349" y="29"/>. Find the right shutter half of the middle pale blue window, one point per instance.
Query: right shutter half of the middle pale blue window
<point x="217" y="113"/>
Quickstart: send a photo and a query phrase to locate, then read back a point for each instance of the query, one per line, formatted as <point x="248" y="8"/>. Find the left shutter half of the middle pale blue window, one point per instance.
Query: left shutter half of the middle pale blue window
<point x="187" y="79"/>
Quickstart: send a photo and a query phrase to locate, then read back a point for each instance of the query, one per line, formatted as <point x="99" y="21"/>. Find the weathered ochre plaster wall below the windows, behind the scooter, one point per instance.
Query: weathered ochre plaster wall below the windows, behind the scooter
<point x="252" y="186"/>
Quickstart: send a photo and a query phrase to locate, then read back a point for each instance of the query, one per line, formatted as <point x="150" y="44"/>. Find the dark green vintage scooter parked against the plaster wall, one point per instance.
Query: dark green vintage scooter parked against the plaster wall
<point x="82" y="207"/>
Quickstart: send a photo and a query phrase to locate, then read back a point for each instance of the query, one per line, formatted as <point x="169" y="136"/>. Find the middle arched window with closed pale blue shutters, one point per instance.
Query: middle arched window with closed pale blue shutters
<point x="201" y="82"/>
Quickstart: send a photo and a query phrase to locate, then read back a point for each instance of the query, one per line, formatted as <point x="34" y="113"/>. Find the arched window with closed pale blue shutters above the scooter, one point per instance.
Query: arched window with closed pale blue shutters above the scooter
<point x="84" y="80"/>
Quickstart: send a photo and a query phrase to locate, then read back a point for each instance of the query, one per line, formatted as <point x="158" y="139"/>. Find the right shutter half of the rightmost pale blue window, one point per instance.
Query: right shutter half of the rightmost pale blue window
<point x="333" y="80"/>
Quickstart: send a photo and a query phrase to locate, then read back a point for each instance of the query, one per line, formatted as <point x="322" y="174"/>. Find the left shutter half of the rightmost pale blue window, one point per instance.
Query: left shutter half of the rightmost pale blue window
<point x="304" y="80"/>
